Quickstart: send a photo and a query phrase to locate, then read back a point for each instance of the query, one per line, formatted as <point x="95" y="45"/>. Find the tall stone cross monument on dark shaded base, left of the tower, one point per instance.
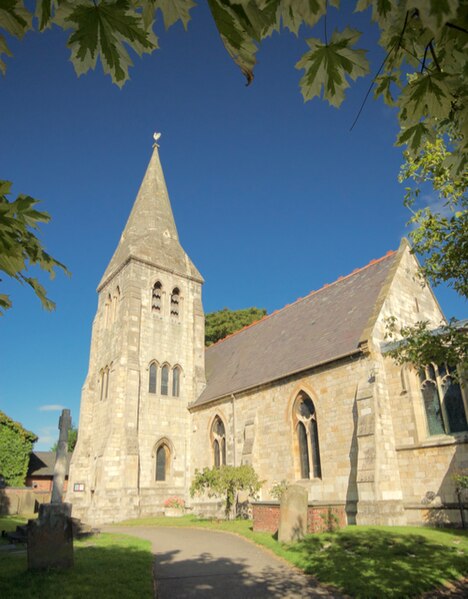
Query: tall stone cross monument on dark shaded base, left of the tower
<point x="50" y="537"/>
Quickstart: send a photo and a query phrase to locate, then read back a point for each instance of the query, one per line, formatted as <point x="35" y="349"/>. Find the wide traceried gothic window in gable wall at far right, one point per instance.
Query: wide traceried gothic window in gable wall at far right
<point x="443" y="400"/>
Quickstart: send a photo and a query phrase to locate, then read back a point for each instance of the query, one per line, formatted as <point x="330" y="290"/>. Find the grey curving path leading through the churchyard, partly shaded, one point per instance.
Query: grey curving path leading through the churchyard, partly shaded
<point x="195" y="563"/>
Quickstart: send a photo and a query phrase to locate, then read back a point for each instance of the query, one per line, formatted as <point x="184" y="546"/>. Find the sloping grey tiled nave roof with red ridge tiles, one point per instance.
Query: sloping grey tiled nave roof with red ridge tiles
<point x="321" y="327"/>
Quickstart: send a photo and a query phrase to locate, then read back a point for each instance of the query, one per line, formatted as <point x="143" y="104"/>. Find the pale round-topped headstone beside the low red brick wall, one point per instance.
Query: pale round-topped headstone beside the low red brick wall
<point x="293" y="514"/>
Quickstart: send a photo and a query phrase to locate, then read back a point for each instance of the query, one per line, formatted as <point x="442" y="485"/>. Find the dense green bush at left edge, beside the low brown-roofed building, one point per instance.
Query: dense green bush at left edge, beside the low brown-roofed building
<point x="15" y="446"/>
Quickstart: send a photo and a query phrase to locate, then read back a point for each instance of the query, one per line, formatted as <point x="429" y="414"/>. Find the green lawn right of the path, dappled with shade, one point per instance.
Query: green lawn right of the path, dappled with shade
<point x="362" y="561"/>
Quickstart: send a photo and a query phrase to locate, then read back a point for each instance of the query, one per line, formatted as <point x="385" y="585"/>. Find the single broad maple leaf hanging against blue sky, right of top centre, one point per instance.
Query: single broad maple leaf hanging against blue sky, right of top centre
<point x="328" y="66"/>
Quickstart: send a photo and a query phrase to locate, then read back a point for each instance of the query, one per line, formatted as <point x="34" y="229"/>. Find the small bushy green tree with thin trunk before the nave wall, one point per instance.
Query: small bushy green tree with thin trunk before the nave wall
<point x="226" y="482"/>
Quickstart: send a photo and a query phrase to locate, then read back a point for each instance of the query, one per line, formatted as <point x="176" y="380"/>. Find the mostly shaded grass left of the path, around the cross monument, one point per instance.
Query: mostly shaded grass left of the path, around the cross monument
<point x="106" y="566"/>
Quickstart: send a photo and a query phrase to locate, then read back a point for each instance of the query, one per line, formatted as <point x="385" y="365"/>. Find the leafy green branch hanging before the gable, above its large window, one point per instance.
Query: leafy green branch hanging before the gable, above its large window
<point x="420" y="345"/>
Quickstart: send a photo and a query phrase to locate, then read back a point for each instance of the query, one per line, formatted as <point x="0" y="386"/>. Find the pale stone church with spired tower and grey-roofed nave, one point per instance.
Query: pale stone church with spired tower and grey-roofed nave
<point x="307" y="394"/>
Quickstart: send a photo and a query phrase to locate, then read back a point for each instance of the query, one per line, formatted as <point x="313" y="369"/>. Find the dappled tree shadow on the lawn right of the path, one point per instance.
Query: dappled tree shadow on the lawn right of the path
<point x="379" y="563"/>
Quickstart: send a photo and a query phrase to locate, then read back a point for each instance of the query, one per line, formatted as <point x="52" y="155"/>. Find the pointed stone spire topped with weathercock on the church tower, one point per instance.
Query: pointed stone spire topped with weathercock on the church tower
<point x="150" y="234"/>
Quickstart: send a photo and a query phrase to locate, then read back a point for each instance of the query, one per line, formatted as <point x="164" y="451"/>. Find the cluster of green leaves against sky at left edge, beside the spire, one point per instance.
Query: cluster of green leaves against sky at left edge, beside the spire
<point x="19" y="246"/>
